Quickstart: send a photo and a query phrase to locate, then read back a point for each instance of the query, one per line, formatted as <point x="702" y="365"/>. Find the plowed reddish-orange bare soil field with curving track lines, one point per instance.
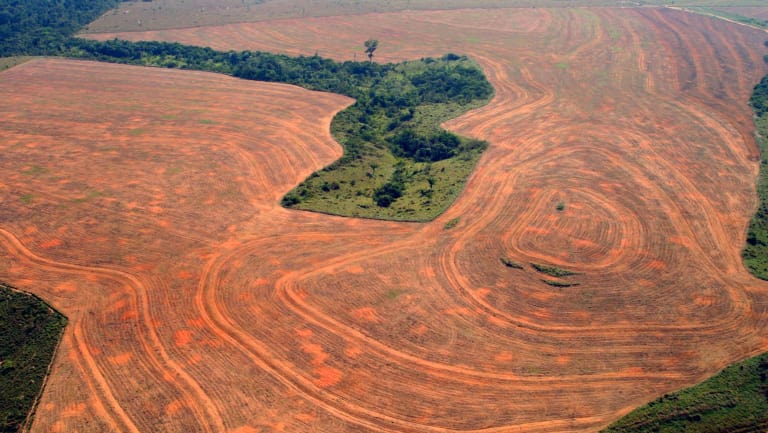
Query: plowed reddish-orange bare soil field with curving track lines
<point x="143" y="203"/>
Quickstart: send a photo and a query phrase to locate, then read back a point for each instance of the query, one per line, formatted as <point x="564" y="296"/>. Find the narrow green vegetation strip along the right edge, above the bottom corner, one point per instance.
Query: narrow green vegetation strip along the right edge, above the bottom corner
<point x="755" y="252"/>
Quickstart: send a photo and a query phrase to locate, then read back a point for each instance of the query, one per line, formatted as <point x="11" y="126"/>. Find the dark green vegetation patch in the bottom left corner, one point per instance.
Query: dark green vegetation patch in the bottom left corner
<point x="29" y="333"/>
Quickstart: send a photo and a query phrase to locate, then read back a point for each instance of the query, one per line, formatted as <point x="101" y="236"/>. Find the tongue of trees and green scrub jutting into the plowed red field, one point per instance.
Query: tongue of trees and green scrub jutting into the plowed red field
<point x="398" y="163"/>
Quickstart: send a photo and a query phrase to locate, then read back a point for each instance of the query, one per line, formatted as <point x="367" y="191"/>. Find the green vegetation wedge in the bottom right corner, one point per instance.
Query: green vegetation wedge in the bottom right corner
<point x="735" y="400"/>
